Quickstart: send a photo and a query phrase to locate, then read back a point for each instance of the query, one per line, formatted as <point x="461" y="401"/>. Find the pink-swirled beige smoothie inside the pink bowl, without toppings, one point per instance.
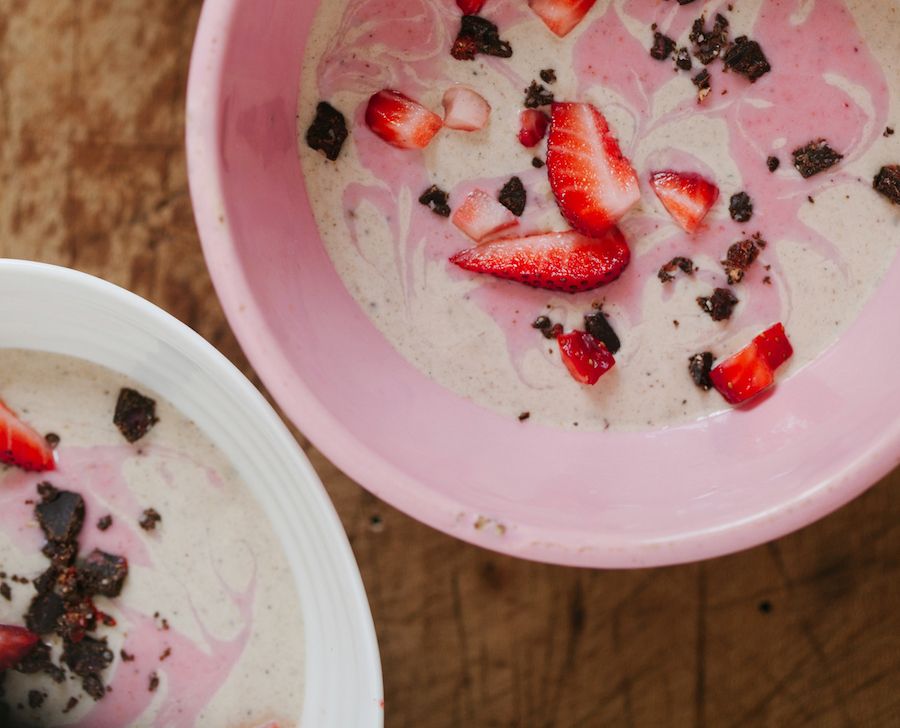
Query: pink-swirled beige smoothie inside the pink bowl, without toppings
<point x="831" y="238"/>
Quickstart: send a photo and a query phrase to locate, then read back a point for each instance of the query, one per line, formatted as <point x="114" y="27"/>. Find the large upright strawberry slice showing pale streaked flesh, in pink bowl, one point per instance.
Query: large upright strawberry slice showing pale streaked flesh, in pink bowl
<point x="594" y="184"/>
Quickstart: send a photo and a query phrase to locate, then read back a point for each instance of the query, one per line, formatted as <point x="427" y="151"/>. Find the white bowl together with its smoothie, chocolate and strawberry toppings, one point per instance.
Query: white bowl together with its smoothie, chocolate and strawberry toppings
<point x="167" y="554"/>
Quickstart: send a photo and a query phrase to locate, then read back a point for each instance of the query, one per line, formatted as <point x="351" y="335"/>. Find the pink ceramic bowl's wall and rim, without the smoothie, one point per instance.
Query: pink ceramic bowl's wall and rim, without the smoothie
<point x="616" y="500"/>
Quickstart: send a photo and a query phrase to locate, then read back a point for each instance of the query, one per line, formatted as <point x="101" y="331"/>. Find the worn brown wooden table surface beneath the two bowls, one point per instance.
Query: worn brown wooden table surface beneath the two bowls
<point x="805" y="631"/>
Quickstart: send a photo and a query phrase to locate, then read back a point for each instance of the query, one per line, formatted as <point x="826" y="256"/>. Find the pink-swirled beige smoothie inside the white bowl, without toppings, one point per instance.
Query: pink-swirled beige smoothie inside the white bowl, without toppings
<point x="208" y="629"/>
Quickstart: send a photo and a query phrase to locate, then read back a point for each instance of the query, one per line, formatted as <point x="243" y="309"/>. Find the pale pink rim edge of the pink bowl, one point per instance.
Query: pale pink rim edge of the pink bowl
<point x="203" y="139"/>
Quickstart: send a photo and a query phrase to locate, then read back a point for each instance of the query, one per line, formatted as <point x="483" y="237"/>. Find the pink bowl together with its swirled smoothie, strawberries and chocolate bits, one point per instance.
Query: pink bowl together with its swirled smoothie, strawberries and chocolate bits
<point x="595" y="283"/>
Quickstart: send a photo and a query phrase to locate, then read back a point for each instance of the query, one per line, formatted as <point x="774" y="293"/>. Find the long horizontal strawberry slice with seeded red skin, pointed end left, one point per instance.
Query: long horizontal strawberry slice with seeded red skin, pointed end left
<point x="567" y="262"/>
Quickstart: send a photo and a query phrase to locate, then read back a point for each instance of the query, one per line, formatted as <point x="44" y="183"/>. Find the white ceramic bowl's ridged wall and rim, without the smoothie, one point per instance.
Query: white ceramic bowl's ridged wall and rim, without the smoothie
<point x="57" y="310"/>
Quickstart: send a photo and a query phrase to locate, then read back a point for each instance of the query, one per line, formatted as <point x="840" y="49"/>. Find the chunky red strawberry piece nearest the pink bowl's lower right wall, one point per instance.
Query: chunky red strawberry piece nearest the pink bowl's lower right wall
<point x="752" y="370"/>
